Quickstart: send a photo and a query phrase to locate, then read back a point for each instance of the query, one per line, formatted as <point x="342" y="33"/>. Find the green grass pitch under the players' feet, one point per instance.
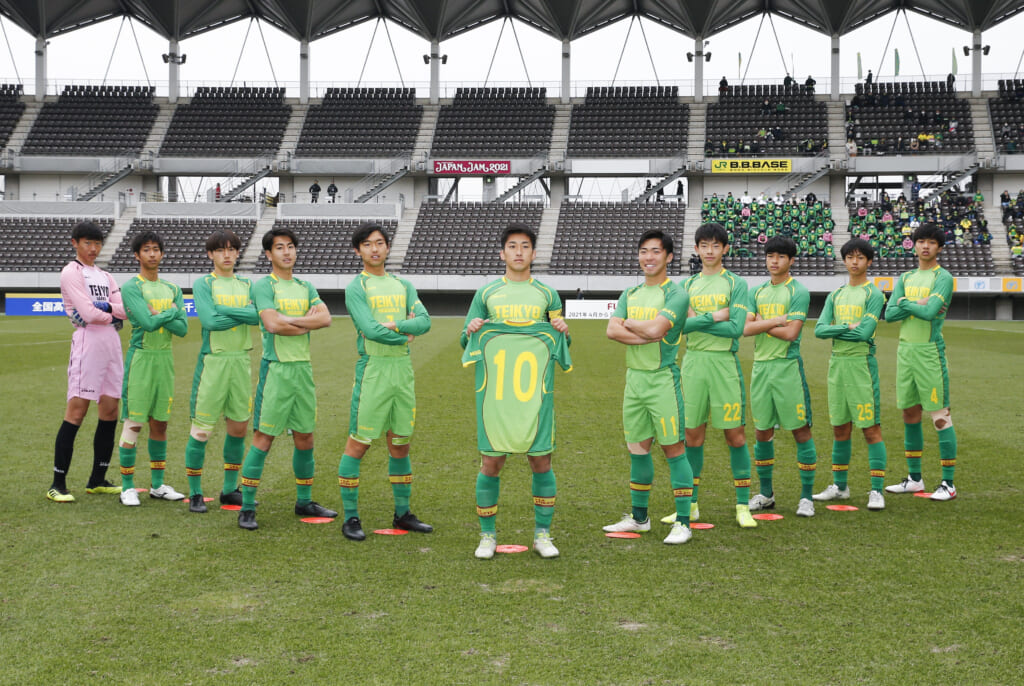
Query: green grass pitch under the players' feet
<point x="921" y="593"/>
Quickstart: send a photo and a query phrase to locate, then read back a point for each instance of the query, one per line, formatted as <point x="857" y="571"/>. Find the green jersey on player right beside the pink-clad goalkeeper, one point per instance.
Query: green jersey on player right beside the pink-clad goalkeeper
<point x="153" y="331"/>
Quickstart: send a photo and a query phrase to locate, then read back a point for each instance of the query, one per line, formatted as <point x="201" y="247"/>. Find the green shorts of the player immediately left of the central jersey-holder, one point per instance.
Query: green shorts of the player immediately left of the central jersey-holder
<point x="383" y="399"/>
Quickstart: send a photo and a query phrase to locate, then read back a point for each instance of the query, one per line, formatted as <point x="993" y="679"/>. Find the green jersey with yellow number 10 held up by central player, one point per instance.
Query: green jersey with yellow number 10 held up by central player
<point x="516" y="384"/>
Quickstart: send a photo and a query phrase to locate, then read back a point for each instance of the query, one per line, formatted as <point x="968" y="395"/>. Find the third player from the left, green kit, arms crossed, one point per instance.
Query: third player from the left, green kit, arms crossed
<point x="222" y="385"/>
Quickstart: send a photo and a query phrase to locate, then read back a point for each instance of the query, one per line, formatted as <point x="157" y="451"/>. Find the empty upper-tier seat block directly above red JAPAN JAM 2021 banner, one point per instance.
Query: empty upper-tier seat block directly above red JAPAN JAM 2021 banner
<point x="513" y="122"/>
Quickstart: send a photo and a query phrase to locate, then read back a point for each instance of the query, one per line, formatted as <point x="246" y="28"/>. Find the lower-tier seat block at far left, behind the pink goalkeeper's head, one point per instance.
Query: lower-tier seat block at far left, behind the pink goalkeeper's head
<point x="41" y="244"/>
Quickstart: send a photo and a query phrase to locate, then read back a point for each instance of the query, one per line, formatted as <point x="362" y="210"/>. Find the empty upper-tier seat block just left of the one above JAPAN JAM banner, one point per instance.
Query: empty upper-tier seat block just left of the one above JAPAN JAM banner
<point x="367" y="122"/>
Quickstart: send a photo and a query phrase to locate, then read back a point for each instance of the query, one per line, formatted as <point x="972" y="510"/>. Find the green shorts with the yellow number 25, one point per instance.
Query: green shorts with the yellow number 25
<point x="854" y="392"/>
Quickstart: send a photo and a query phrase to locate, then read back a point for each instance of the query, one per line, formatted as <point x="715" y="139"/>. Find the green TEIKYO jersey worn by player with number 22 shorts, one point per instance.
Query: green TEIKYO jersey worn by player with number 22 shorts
<point x="709" y="294"/>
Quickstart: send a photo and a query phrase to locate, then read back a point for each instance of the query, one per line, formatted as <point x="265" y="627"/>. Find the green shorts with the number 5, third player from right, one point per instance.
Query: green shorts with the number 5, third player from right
<point x="780" y="396"/>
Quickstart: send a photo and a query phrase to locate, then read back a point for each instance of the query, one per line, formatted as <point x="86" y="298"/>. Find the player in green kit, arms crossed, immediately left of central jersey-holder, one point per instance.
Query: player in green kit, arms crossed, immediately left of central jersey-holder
<point x="388" y="315"/>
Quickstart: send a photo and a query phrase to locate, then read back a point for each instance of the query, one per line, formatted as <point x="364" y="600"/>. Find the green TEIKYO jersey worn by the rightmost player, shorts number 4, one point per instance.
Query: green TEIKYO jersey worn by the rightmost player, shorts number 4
<point x="922" y="324"/>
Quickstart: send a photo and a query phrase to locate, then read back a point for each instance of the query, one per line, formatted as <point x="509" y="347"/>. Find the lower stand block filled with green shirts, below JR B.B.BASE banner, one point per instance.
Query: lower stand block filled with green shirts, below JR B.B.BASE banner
<point x="751" y="222"/>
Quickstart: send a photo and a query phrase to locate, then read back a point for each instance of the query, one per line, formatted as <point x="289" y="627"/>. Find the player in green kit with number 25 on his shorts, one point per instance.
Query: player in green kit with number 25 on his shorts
<point x="849" y="318"/>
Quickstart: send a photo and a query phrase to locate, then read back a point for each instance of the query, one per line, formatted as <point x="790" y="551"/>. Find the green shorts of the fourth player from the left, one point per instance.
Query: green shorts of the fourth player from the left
<point x="286" y="399"/>
